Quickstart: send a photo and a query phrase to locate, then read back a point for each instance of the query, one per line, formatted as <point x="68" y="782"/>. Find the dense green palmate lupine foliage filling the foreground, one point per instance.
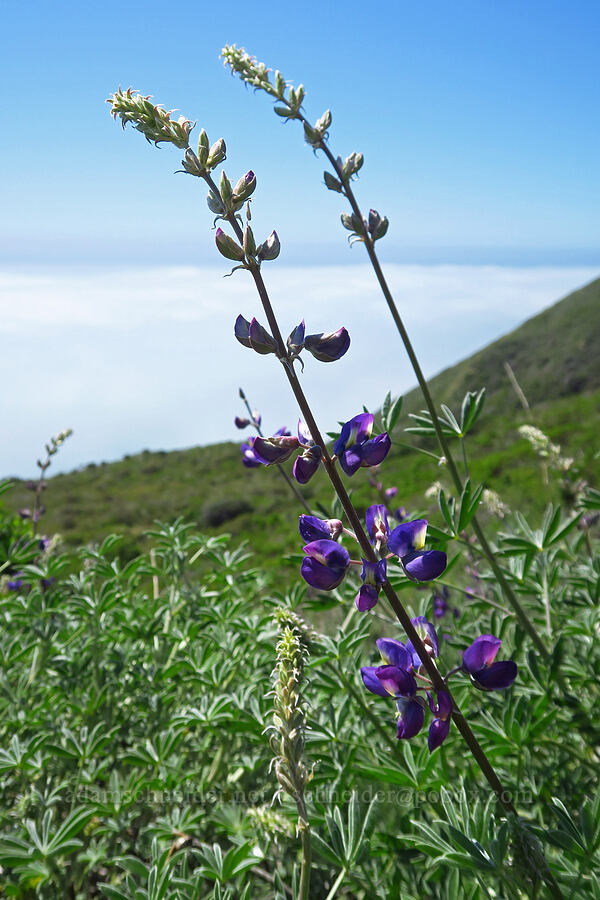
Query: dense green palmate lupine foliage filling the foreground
<point x="135" y="699"/>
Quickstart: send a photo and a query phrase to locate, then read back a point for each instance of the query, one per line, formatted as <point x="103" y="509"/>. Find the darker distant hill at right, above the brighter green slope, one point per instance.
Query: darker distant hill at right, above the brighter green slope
<point x="554" y="354"/>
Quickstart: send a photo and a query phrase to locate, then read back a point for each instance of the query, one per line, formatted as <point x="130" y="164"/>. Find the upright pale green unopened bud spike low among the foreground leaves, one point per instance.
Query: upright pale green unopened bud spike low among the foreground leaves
<point x="287" y="737"/>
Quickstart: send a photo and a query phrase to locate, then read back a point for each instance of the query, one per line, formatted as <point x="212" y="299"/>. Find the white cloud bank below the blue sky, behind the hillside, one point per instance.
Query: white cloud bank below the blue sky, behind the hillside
<point x="136" y="358"/>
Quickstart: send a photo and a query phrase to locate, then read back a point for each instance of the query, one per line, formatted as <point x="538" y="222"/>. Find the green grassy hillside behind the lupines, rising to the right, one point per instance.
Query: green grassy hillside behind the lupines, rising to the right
<point x="556" y="360"/>
